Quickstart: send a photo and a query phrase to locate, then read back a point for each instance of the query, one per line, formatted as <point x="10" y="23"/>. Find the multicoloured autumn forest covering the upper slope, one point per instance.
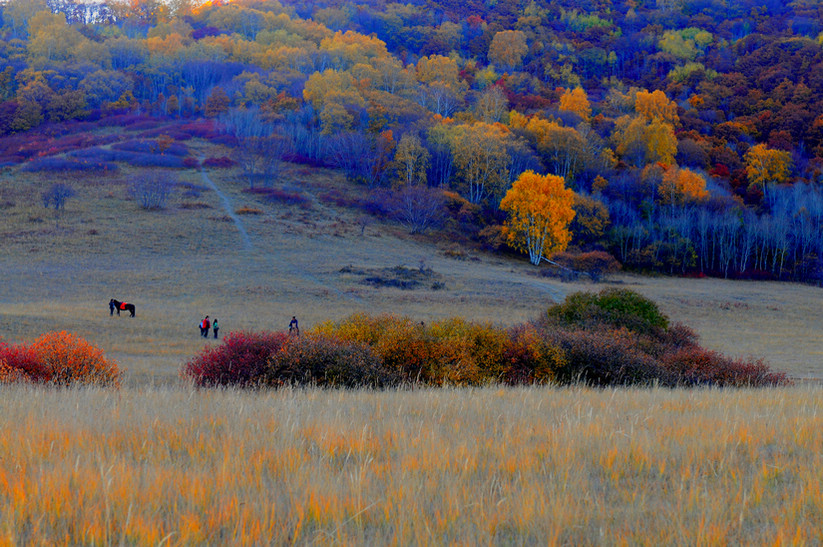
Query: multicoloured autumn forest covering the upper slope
<point x="676" y="136"/>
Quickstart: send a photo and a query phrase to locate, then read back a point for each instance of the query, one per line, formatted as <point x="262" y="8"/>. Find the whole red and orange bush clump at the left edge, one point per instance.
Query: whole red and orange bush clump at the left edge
<point x="57" y="358"/>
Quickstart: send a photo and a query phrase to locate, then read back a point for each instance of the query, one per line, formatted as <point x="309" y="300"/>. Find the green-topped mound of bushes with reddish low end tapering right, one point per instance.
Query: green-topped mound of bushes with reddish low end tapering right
<point x="618" y="337"/>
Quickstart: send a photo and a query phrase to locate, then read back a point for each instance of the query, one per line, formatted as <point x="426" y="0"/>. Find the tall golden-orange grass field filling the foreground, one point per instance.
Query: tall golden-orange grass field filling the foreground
<point x="550" y="466"/>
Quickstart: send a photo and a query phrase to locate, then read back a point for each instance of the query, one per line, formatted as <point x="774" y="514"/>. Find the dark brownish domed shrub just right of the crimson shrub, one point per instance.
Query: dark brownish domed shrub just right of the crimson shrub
<point x="326" y="362"/>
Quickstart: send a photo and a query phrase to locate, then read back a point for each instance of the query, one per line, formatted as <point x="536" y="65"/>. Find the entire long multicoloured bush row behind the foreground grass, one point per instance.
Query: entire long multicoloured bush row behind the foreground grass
<point x="615" y="337"/>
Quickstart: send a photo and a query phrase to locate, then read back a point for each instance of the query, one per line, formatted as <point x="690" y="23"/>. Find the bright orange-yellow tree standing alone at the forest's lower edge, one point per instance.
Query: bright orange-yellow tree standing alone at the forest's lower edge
<point x="540" y="208"/>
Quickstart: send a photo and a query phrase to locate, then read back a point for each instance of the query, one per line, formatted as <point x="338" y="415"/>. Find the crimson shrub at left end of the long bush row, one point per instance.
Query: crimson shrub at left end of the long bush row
<point x="239" y="361"/>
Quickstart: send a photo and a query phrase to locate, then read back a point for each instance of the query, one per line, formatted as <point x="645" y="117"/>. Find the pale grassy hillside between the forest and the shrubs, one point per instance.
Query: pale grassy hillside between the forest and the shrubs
<point x="253" y="262"/>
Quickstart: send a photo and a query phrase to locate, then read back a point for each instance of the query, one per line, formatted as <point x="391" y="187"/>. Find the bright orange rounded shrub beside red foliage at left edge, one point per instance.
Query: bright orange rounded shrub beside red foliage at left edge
<point x="68" y="359"/>
